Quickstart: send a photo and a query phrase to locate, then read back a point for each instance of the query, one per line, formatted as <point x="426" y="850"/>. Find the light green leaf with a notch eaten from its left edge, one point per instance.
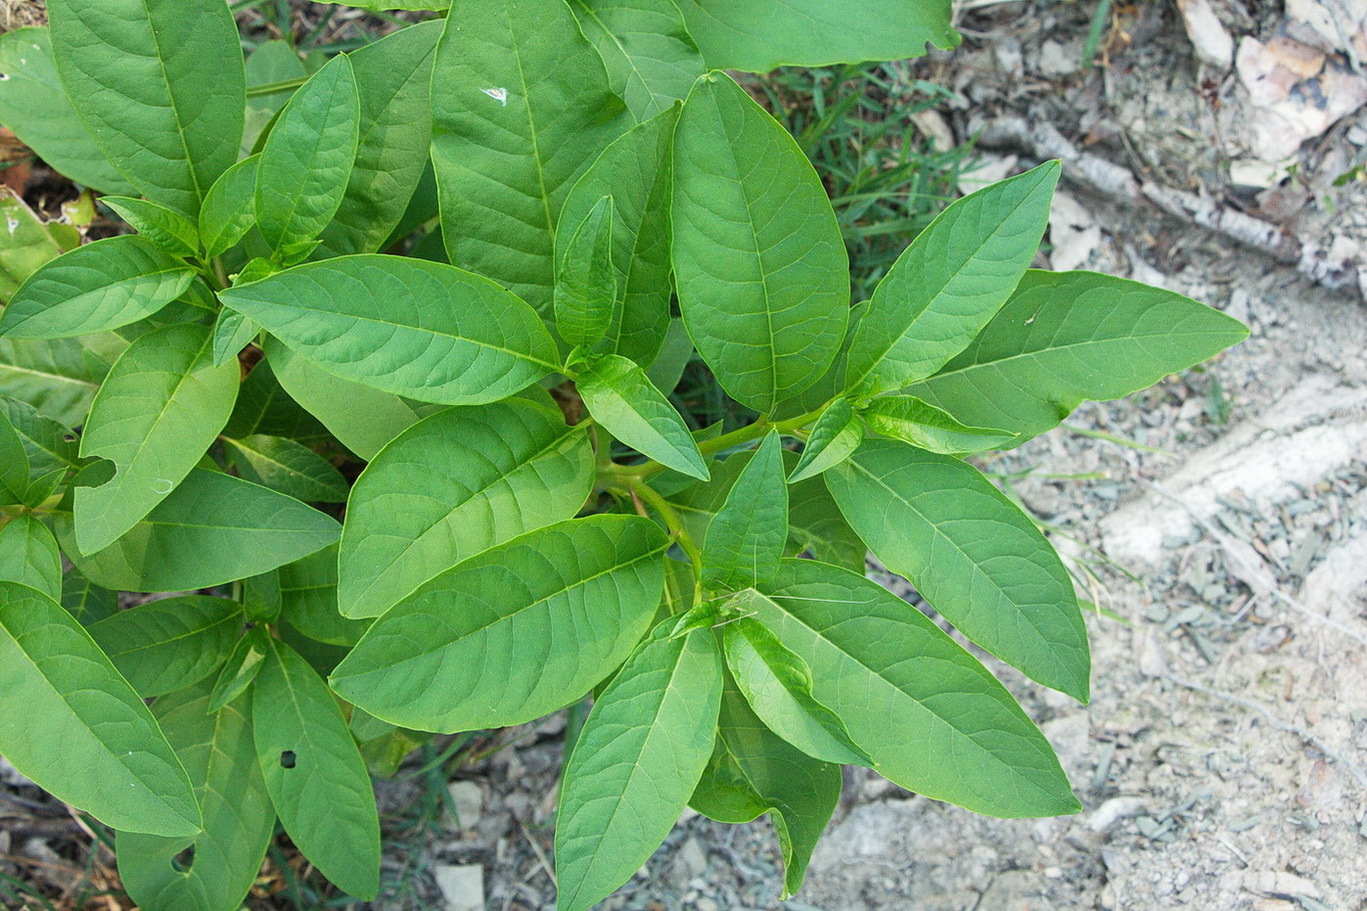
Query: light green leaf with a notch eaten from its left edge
<point x="158" y="412"/>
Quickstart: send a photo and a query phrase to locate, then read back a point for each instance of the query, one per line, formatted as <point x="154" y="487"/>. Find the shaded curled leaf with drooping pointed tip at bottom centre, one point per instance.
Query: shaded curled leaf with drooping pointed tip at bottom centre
<point x="754" y="771"/>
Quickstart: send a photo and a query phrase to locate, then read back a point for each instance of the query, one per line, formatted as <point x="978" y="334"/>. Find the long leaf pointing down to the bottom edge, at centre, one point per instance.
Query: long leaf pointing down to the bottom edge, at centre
<point x="636" y="764"/>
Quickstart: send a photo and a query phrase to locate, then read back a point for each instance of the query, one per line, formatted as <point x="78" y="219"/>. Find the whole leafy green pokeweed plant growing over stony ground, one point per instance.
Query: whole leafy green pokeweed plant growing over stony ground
<point x="188" y="410"/>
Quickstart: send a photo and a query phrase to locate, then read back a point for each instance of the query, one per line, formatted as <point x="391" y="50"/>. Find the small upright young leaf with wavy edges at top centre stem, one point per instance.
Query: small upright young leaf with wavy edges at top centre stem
<point x="586" y="282"/>
